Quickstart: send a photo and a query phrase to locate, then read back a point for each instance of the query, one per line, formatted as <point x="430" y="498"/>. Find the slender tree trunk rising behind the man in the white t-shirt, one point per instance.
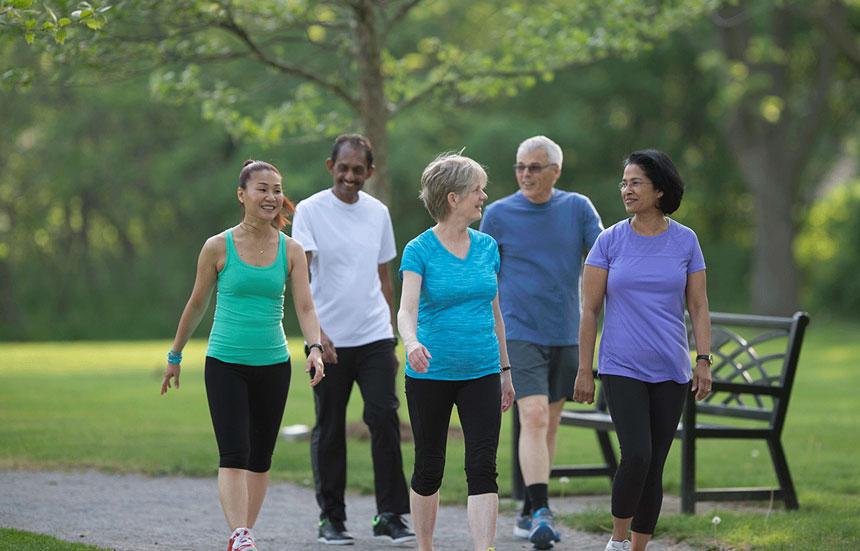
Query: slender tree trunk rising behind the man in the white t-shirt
<point x="374" y="113"/>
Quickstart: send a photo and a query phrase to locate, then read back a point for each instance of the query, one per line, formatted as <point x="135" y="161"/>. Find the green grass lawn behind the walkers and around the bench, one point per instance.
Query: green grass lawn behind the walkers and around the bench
<point x="96" y="405"/>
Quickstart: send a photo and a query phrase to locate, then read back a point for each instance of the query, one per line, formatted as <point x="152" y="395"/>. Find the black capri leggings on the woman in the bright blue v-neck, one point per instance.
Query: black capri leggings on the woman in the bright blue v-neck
<point x="479" y="406"/>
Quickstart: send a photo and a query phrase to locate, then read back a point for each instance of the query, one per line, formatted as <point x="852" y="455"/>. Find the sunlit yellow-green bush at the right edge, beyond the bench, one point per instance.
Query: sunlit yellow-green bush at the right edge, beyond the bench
<point x="826" y="251"/>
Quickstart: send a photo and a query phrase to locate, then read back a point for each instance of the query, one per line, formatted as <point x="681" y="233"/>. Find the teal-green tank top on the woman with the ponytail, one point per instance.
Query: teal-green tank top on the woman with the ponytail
<point x="249" y="309"/>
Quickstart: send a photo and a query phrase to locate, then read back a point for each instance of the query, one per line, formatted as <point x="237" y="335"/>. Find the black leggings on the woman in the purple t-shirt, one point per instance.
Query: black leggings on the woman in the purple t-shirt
<point x="645" y="416"/>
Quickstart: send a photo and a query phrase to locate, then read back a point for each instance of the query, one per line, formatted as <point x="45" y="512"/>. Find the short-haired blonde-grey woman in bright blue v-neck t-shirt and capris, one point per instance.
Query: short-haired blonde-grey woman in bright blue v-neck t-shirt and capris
<point x="454" y="337"/>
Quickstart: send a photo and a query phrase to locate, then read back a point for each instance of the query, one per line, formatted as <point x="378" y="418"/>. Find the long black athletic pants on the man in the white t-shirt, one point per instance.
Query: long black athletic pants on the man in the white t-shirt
<point x="373" y="367"/>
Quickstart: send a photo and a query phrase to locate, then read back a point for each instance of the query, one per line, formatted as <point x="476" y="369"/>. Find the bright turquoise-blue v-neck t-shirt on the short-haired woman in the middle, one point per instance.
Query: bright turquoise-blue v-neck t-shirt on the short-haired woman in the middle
<point x="455" y="309"/>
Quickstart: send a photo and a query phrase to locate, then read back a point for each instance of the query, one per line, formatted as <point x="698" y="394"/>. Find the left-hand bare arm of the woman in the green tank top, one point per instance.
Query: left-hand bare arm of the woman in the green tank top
<point x="212" y="253"/>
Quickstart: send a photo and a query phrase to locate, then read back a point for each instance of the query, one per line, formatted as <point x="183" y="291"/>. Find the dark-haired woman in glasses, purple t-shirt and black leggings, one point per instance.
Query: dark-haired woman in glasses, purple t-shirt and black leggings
<point x="647" y="269"/>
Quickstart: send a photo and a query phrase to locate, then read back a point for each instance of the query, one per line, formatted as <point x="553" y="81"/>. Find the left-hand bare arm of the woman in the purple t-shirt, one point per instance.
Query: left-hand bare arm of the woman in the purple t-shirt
<point x="593" y="293"/>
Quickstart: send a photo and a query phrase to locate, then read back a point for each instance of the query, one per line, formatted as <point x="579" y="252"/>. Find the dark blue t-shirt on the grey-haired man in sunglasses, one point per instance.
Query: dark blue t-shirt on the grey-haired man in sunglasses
<point x="542" y="246"/>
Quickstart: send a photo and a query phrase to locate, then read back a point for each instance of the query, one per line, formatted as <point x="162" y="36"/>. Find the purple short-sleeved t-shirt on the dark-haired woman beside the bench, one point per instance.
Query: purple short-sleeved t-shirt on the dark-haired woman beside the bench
<point x="644" y="336"/>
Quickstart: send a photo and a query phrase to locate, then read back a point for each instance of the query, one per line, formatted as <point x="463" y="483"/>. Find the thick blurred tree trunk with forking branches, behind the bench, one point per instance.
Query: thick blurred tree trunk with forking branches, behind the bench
<point x="773" y="155"/>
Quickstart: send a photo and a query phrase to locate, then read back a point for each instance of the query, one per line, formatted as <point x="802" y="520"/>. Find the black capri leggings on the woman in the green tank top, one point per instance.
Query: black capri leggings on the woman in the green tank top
<point x="246" y="404"/>
